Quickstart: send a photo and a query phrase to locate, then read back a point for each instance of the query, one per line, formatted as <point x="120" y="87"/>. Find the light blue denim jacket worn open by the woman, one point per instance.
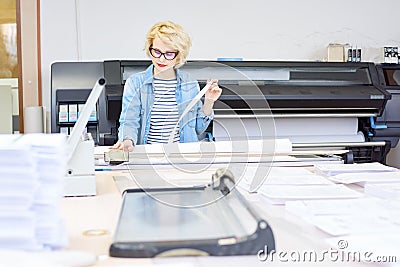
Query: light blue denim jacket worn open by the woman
<point x="137" y="103"/>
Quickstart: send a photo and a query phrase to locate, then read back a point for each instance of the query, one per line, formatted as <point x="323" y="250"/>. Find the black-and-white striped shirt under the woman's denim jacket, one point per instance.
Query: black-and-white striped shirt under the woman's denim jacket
<point x="164" y="114"/>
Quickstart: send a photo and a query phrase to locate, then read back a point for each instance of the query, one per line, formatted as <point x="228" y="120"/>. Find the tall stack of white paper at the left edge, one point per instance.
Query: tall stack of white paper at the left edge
<point x="32" y="168"/>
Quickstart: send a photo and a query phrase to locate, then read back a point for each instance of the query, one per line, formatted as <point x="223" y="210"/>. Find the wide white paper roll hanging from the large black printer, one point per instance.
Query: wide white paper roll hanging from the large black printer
<point x="297" y="130"/>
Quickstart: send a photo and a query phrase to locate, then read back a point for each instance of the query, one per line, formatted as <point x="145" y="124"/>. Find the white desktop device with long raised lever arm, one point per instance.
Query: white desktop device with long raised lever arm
<point x="80" y="178"/>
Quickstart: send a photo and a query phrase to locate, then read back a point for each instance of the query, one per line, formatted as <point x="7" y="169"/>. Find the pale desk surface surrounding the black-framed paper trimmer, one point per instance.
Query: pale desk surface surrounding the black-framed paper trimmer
<point x="102" y="211"/>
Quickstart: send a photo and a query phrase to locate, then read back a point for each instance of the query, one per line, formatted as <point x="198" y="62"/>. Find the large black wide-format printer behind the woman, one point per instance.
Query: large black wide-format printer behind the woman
<point x="314" y="104"/>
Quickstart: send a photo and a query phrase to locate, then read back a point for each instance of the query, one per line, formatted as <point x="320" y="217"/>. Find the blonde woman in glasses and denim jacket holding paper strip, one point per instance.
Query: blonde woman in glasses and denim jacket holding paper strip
<point x="154" y="100"/>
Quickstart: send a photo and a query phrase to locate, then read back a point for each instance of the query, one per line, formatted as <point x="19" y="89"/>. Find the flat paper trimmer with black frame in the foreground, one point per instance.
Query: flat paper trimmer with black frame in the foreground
<point x="211" y="220"/>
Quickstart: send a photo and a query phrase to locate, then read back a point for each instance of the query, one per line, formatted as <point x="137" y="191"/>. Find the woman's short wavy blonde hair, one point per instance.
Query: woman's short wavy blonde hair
<point x="173" y="35"/>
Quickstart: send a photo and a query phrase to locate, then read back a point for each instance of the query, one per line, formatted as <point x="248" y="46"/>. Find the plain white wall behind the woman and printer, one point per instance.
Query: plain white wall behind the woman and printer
<point x="95" y="30"/>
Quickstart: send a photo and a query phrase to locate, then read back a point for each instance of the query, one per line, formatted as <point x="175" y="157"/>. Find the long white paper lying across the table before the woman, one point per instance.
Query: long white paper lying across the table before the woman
<point x="274" y="151"/>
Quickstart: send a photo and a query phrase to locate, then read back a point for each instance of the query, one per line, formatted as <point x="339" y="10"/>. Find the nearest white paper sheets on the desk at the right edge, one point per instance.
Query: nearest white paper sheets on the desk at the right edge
<point x="349" y="216"/>
